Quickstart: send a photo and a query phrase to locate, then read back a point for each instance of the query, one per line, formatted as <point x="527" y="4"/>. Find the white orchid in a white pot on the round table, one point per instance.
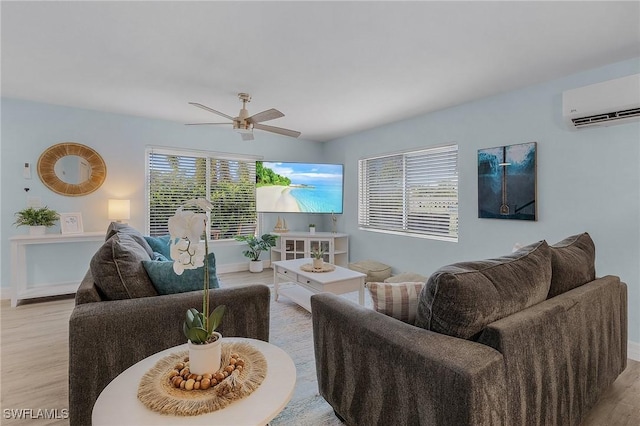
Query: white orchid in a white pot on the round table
<point x="186" y="228"/>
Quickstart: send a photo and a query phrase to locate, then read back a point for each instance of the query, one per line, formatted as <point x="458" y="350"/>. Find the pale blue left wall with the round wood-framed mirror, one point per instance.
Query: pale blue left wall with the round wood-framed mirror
<point x="28" y="128"/>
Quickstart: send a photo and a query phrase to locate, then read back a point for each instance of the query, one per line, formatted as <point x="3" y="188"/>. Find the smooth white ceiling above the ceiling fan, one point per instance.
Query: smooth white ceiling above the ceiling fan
<point x="333" y="68"/>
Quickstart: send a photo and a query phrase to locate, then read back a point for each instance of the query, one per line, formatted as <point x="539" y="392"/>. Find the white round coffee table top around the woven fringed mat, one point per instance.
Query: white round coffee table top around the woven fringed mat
<point x="118" y="403"/>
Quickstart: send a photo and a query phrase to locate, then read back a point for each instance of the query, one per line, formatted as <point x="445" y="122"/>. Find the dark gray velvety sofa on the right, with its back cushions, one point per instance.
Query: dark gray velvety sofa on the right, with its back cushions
<point x="532" y="338"/>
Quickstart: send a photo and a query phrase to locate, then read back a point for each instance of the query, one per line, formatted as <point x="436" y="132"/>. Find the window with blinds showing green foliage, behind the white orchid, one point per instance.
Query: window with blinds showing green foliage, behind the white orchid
<point x="228" y="181"/>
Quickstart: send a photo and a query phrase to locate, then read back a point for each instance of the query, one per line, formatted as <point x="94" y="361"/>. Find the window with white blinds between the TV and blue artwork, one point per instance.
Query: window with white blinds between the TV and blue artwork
<point x="412" y="193"/>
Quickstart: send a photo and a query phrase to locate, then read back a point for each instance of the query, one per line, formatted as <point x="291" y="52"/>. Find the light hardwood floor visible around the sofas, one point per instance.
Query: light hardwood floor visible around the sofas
<point x="34" y="366"/>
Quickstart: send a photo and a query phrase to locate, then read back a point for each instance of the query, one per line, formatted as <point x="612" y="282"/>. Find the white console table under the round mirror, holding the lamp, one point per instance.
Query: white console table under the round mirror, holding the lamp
<point x="19" y="264"/>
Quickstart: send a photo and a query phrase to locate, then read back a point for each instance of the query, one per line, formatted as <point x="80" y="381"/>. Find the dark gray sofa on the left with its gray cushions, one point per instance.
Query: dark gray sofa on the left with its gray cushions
<point x="107" y="336"/>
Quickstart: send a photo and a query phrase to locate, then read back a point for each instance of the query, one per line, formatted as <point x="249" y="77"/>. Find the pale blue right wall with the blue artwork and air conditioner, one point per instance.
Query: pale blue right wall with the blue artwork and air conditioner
<point x="588" y="180"/>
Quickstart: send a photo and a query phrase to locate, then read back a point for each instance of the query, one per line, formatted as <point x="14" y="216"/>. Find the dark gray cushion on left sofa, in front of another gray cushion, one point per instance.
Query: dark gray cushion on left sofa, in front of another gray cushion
<point x="117" y="269"/>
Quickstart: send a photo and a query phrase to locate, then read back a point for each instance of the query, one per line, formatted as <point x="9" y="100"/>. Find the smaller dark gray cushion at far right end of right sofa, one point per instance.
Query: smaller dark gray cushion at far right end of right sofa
<point x="572" y="263"/>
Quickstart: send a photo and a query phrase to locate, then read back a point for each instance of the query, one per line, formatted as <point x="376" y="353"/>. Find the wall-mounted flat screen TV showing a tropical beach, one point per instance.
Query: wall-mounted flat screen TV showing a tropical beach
<point x="299" y="187"/>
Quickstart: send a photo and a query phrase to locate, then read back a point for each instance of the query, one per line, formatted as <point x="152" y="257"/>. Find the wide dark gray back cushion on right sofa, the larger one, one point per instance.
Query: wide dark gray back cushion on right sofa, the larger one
<point x="462" y="299"/>
